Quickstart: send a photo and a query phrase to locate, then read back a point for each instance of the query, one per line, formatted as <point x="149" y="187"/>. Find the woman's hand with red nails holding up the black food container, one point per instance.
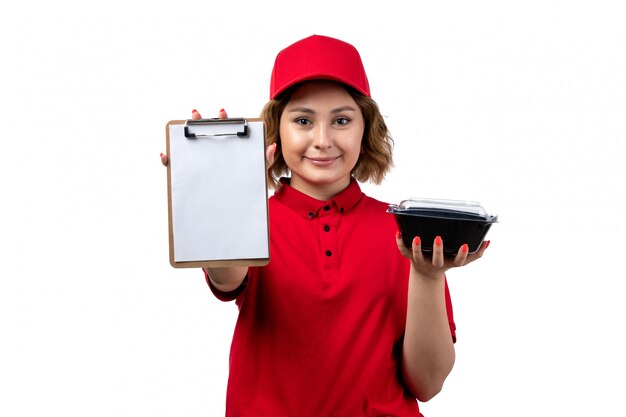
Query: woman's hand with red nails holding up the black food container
<point x="435" y="264"/>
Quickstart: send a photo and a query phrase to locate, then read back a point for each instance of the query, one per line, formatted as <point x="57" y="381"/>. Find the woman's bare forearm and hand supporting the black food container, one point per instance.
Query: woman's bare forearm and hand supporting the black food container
<point x="428" y="350"/>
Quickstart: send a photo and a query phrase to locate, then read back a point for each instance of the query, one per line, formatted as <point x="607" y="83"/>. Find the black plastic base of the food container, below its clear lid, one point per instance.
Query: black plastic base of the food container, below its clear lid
<point x="454" y="227"/>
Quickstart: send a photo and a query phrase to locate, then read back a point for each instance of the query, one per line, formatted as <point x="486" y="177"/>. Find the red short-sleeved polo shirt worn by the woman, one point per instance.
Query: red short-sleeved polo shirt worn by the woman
<point x="320" y="328"/>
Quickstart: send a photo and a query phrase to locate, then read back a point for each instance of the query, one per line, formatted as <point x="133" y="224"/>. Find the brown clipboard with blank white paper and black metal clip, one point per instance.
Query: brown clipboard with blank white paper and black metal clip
<point x="217" y="193"/>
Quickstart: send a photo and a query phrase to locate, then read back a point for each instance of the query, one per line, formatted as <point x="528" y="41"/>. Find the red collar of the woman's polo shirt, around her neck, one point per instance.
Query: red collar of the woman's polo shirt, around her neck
<point x="310" y="207"/>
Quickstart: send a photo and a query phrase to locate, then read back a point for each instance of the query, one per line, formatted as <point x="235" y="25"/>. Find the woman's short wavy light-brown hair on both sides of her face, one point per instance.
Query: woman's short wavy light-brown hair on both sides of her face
<point x="375" y="159"/>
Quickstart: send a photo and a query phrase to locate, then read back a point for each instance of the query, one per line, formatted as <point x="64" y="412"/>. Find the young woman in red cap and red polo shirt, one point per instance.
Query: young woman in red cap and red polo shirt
<point x="344" y="320"/>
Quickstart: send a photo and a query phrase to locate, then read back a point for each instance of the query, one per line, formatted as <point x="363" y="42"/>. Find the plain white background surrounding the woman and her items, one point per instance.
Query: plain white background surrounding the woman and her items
<point x="518" y="105"/>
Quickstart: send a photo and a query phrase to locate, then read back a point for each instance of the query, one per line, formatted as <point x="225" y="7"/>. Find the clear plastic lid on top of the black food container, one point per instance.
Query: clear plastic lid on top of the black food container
<point x="440" y="208"/>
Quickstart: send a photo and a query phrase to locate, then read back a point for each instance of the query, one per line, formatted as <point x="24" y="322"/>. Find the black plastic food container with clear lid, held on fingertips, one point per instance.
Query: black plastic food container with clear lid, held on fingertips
<point x="456" y="221"/>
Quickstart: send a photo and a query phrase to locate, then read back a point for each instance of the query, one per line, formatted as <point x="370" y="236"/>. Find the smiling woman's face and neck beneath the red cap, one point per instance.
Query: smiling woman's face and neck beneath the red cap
<point x="321" y="130"/>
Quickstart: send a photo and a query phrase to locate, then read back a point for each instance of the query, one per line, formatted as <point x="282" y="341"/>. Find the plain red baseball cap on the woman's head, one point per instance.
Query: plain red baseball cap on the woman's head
<point x="318" y="57"/>
